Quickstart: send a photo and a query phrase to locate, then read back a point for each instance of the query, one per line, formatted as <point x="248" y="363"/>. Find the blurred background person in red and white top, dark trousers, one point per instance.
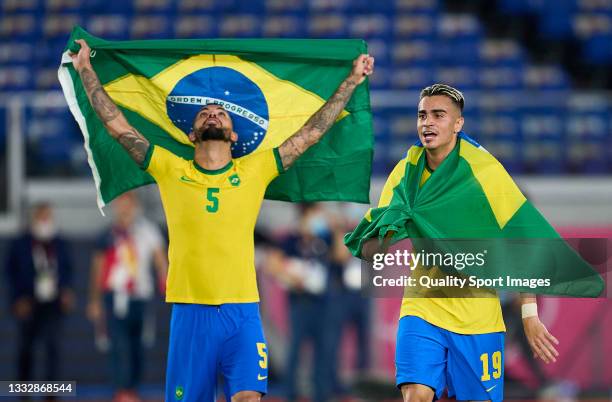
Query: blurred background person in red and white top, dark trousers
<point x="122" y="282"/>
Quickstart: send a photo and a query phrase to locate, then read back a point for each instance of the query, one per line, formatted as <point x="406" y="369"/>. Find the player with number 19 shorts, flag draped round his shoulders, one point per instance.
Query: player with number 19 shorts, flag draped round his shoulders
<point x="454" y="342"/>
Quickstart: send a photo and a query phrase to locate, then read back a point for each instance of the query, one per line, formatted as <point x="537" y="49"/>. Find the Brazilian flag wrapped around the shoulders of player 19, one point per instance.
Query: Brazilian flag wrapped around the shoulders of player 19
<point x="470" y="205"/>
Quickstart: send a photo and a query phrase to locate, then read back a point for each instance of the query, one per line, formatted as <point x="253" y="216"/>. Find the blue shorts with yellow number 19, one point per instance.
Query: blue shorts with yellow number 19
<point x="471" y="367"/>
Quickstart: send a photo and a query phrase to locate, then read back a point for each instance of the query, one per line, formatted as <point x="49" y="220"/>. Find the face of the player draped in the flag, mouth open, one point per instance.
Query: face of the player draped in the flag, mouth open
<point x="438" y="121"/>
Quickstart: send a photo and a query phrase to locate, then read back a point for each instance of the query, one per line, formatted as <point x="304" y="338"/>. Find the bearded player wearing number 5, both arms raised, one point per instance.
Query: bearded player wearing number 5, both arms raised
<point x="211" y="205"/>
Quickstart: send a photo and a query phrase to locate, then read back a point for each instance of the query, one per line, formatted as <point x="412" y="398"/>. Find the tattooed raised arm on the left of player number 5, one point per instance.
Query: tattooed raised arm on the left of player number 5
<point x="115" y="122"/>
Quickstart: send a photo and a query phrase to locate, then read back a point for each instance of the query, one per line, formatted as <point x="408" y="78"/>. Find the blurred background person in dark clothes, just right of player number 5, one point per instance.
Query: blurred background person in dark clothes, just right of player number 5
<point x="304" y="268"/>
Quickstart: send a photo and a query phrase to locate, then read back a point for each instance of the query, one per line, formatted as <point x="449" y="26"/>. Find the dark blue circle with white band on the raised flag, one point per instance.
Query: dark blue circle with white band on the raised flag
<point x="239" y="95"/>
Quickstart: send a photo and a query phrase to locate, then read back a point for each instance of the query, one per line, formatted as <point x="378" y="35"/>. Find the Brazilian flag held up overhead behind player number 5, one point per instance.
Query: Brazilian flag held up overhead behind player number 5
<point x="270" y="87"/>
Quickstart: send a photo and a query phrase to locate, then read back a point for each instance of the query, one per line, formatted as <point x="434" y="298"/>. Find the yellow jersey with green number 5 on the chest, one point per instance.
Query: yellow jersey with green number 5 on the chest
<point x="211" y="216"/>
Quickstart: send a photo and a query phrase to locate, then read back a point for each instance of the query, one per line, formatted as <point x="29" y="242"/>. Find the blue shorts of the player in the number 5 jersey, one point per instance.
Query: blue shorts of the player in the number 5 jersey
<point x="206" y="341"/>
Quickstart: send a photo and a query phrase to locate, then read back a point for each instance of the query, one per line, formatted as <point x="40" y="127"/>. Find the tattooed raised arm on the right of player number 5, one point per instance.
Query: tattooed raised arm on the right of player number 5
<point x="324" y="118"/>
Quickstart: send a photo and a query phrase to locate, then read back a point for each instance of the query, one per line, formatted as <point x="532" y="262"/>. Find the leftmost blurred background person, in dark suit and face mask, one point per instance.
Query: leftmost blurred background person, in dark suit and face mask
<point x="39" y="275"/>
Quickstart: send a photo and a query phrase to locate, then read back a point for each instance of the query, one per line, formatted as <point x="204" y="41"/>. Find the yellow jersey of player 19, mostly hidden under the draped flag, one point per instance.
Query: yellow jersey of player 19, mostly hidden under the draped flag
<point x="464" y="311"/>
